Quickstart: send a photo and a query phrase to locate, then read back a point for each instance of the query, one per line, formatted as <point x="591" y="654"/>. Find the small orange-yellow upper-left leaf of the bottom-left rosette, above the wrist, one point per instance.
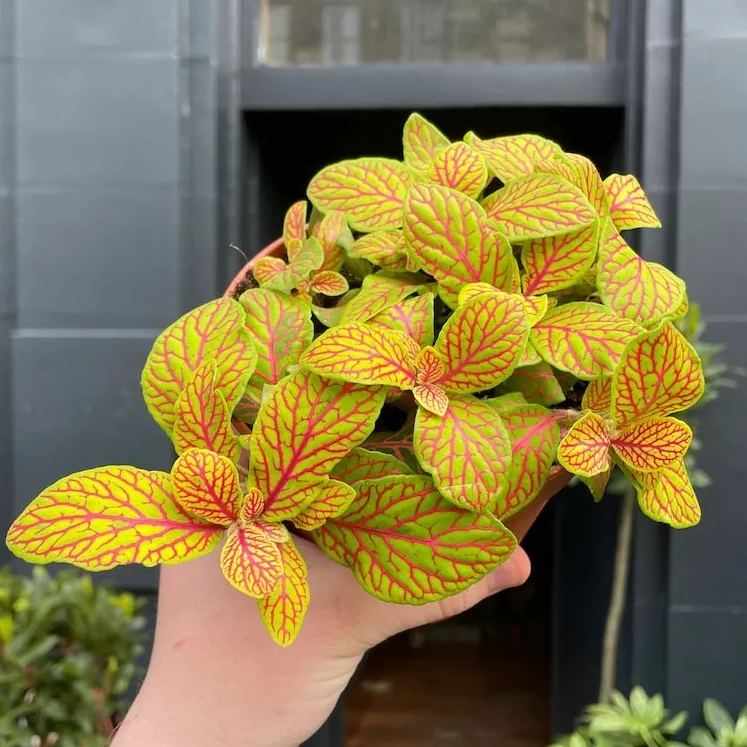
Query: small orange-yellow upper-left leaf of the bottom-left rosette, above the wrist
<point x="207" y="486"/>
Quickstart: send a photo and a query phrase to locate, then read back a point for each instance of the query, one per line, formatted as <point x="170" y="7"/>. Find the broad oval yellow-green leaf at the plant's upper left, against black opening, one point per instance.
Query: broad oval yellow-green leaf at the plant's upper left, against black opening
<point x="368" y="191"/>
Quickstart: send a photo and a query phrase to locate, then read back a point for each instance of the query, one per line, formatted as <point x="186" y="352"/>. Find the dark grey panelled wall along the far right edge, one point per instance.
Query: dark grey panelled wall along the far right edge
<point x="708" y="590"/>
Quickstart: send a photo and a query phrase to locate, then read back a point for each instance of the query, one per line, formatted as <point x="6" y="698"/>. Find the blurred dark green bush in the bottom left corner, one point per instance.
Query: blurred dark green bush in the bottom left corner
<point x="67" y="656"/>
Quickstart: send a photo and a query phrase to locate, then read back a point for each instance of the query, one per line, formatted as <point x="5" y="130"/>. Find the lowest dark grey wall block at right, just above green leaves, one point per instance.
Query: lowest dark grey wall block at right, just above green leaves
<point x="706" y="659"/>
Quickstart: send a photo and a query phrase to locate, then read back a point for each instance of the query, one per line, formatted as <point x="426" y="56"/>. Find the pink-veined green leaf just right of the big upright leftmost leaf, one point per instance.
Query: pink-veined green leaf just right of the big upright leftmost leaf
<point x="281" y="327"/>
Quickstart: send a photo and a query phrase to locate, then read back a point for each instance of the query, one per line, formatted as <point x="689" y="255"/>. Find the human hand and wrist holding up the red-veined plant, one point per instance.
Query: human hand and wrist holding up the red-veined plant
<point x="216" y="677"/>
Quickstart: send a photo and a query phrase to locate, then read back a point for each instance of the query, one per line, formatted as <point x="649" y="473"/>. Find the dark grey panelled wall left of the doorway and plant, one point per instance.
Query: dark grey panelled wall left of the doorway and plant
<point x="113" y="174"/>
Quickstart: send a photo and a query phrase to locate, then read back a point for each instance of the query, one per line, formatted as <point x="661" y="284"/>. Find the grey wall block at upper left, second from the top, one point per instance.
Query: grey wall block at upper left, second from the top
<point x="103" y="123"/>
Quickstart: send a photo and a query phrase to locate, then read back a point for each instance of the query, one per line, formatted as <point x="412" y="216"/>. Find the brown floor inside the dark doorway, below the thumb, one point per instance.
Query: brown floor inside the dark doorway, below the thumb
<point x="451" y="693"/>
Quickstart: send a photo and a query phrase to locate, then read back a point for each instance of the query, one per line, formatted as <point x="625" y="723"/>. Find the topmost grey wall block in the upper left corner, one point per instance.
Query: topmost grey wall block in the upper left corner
<point x="91" y="28"/>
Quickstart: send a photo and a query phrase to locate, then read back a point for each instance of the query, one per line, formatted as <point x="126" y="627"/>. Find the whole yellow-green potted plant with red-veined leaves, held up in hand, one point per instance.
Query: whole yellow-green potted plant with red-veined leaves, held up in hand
<point x="478" y="299"/>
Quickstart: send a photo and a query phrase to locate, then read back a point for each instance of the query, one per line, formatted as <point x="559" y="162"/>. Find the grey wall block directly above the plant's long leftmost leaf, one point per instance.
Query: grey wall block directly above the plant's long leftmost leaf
<point x="77" y="404"/>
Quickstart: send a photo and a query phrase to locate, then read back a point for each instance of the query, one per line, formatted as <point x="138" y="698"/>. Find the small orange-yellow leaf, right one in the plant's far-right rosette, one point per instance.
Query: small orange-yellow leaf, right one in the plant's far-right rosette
<point x="655" y="442"/>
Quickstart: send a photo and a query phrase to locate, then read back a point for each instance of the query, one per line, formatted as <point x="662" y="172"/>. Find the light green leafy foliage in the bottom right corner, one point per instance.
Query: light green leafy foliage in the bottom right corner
<point x="643" y="721"/>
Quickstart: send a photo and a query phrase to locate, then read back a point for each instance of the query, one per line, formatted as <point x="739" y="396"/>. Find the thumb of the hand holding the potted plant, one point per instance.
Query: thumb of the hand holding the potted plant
<point x="388" y="619"/>
